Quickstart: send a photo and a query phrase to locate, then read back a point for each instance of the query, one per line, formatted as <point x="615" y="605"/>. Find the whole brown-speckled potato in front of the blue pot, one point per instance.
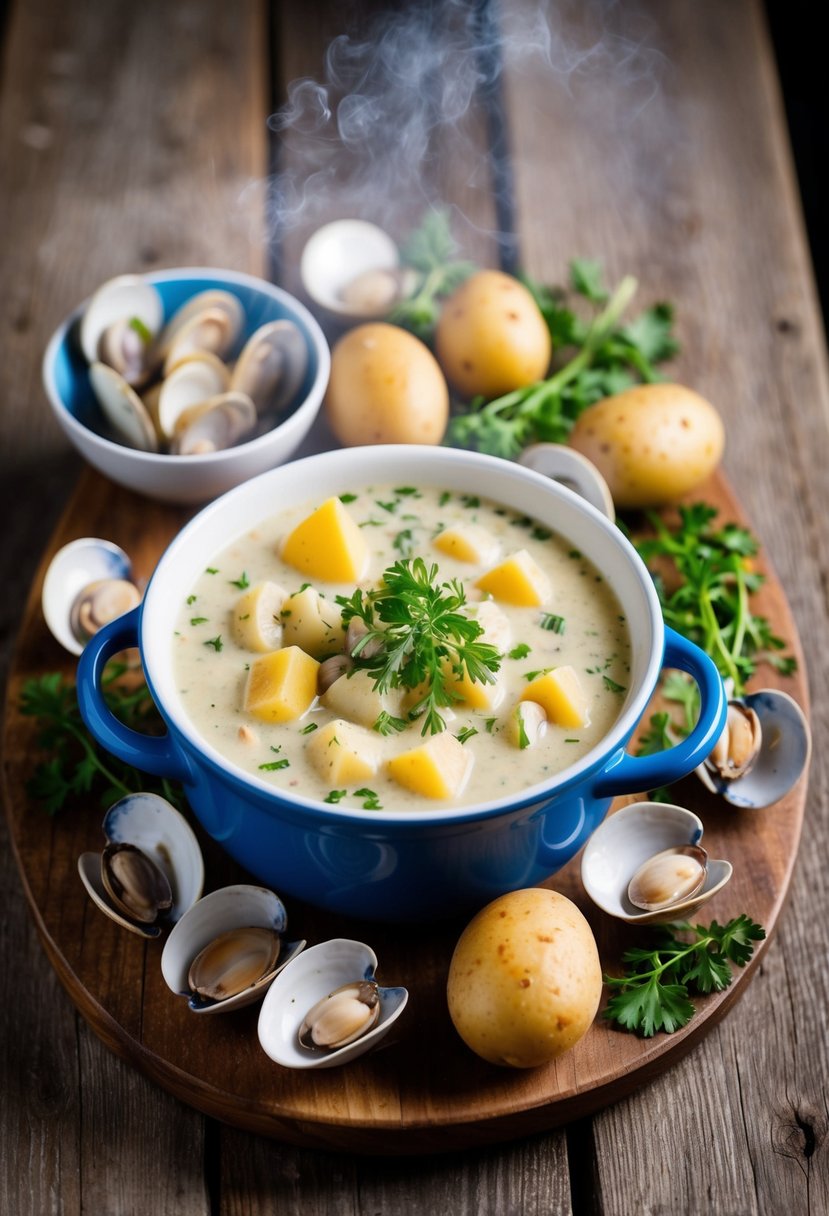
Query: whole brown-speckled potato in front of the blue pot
<point x="525" y="983"/>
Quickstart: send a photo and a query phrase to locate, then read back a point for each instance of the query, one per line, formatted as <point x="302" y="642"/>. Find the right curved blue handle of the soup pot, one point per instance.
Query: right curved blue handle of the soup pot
<point x="629" y="774"/>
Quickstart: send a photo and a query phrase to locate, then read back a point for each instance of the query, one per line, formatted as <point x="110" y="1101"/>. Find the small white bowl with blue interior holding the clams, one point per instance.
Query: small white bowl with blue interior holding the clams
<point x="187" y="478"/>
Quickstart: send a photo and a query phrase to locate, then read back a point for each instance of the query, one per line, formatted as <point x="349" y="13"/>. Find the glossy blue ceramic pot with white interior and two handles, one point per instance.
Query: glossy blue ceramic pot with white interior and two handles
<point x="405" y="865"/>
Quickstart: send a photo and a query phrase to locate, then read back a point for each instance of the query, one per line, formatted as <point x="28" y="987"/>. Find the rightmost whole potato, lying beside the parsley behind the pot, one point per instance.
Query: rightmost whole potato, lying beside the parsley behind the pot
<point x="652" y="443"/>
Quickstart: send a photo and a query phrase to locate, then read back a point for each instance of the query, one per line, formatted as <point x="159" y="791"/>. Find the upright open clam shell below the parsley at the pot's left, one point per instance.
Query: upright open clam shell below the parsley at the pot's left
<point x="150" y="824"/>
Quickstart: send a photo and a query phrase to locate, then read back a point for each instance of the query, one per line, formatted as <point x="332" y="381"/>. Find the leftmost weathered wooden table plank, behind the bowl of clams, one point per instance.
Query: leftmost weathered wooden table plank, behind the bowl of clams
<point x="131" y="138"/>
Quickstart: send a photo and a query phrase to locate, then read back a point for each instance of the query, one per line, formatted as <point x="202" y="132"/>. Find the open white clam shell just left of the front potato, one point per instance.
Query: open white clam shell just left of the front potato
<point x="319" y="972"/>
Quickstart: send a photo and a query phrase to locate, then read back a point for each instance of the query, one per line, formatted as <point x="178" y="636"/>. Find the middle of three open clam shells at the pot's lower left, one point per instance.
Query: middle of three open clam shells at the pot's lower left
<point x="230" y="910"/>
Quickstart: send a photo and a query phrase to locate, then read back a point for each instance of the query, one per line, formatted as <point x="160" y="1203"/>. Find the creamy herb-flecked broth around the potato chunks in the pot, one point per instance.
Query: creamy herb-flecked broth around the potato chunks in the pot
<point x="580" y="626"/>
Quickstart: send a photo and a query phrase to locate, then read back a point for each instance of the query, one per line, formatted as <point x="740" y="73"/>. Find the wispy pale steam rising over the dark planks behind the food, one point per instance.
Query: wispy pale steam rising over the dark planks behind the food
<point x="419" y="97"/>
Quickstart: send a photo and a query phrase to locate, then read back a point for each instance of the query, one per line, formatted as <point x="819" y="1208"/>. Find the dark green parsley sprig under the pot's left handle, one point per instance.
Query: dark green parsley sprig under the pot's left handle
<point x="77" y="765"/>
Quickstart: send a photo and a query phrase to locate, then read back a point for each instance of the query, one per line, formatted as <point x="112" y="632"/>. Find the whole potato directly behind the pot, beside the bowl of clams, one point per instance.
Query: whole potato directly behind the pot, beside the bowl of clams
<point x="386" y="387"/>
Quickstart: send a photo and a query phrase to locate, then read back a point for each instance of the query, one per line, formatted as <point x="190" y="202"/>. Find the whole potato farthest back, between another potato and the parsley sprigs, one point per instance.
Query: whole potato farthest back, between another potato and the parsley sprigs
<point x="492" y="337"/>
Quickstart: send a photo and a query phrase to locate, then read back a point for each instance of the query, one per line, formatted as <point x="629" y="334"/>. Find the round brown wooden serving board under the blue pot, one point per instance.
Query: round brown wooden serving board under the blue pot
<point x="422" y="1091"/>
